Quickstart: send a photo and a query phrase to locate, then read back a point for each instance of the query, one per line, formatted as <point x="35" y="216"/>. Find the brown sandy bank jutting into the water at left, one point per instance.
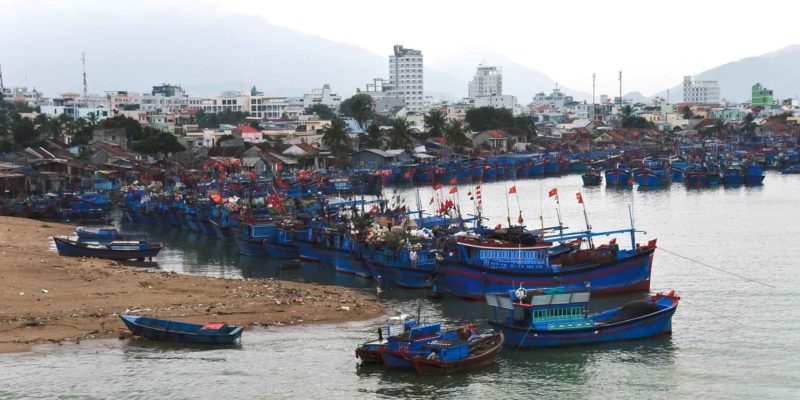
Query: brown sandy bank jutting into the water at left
<point x="53" y="299"/>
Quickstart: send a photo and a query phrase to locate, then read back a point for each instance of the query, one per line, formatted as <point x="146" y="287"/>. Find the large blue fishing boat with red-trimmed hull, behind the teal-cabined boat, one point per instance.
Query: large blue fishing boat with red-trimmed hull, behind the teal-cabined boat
<point x="474" y="266"/>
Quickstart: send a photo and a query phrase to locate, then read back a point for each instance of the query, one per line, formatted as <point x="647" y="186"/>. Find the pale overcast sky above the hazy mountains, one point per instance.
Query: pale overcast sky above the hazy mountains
<point x="655" y="43"/>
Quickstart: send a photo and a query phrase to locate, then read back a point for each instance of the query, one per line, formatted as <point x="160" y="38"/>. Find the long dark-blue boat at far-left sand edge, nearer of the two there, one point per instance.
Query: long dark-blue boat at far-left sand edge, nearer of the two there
<point x="115" y="250"/>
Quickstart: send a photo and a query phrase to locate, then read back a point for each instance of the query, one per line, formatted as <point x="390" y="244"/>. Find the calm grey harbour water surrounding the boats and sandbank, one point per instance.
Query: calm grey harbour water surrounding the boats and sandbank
<point x="732" y="338"/>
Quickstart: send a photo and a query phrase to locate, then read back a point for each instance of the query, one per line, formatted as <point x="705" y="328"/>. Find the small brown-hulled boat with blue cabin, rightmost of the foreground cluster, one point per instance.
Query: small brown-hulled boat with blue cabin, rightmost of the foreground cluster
<point x="447" y="357"/>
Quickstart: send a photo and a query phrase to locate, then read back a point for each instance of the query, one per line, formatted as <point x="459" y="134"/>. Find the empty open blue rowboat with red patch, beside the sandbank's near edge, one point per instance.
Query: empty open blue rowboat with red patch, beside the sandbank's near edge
<point x="174" y="331"/>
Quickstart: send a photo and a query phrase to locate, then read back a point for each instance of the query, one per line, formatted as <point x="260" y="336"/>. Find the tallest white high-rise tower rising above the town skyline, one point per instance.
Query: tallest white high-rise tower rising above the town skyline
<point x="405" y="74"/>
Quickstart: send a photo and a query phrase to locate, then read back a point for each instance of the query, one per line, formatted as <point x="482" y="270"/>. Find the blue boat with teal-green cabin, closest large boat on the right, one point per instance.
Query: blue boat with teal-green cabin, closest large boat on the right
<point x="552" y="318"/>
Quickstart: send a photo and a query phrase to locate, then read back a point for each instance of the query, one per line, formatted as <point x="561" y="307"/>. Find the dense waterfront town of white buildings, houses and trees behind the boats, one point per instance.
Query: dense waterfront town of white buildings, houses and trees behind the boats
<point x="52" y="143"/>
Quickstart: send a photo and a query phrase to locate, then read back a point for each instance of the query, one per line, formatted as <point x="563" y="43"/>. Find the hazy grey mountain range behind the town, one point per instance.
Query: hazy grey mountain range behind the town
<point x="208" y="55"/>
